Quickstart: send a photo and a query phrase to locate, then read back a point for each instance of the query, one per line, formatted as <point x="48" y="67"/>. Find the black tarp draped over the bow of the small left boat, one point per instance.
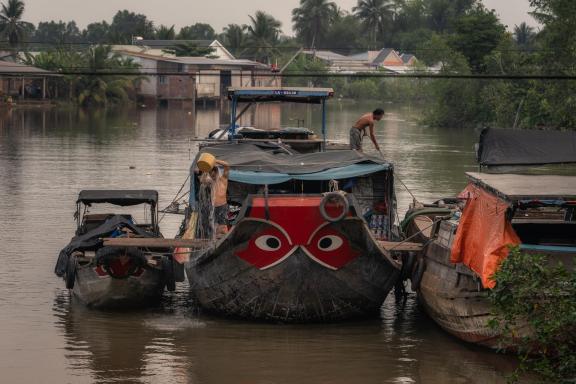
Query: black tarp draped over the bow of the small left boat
<point x="93" y="239"/>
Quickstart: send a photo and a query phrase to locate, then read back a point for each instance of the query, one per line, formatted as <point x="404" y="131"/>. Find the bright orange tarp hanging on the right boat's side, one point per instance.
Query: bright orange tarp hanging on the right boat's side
<point x="483" y="234"/>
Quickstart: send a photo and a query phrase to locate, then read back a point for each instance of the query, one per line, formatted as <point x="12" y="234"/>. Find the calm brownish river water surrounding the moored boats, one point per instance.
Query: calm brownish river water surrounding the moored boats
<point x="47" y="156"/>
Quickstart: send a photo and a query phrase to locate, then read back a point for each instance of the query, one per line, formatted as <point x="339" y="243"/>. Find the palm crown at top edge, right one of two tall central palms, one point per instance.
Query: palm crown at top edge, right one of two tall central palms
<point x="375" y="14"/>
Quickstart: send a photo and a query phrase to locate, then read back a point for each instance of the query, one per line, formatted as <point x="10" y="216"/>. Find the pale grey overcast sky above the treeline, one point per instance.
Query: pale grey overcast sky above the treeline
<point x="218" y="13"/>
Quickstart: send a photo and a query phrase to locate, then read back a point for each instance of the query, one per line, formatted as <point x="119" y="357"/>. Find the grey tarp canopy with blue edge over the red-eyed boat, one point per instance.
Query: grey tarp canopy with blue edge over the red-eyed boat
<point x="272" y="164"/>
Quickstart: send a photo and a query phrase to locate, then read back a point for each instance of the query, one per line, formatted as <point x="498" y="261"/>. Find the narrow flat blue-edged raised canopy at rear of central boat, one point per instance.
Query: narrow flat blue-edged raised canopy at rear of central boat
<point x="290" y="94"/>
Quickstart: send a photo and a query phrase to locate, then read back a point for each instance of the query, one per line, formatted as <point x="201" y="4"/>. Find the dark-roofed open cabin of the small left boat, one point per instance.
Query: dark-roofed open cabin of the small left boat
<point x="88" y="220"/>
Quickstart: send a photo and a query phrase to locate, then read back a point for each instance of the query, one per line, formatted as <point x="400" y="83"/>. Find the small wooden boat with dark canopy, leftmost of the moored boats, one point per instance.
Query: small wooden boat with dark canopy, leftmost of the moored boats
<point x="110" y="276"/>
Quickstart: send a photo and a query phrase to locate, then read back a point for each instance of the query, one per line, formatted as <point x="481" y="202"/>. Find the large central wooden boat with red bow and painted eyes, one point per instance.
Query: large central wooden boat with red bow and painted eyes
<point x="307" y="242"/>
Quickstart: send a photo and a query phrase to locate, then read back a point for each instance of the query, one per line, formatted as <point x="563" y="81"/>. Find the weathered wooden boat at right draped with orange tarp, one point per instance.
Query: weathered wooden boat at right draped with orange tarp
<point x="468" y="236"/>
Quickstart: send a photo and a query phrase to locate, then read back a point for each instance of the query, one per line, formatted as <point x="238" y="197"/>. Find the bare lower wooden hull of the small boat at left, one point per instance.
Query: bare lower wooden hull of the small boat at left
<point x="100" y="290"/>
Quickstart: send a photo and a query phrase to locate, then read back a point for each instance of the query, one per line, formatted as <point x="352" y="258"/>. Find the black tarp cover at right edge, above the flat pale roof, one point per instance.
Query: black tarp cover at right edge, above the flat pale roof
<point x="526" y="147"/>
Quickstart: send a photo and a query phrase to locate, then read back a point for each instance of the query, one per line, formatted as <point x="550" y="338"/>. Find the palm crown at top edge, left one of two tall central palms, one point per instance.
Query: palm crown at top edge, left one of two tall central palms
<point x="313" y="19"/>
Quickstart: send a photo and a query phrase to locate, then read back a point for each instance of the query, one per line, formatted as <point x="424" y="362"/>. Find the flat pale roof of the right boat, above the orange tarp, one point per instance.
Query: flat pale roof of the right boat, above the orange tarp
<point x="526" y="187"/>
